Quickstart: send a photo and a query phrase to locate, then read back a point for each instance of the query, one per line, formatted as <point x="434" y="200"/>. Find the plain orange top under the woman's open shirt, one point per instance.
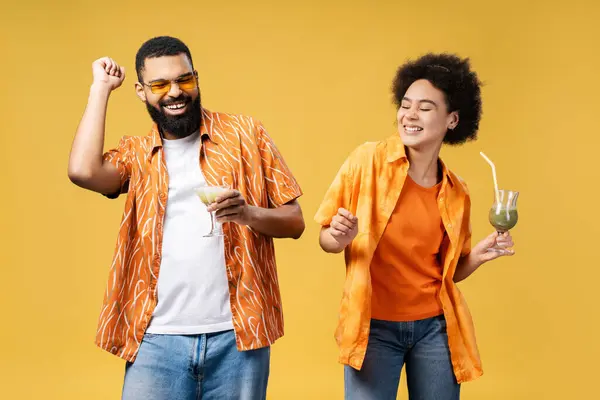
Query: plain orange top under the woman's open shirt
<point x="405" y="271"/>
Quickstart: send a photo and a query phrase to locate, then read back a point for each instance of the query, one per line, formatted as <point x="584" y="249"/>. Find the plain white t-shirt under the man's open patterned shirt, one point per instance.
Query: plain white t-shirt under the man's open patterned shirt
<point x="193" y="294"/>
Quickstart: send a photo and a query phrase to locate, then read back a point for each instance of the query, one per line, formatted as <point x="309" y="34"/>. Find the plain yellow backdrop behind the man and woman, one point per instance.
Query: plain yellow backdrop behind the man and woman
<point x="318" y="74"/>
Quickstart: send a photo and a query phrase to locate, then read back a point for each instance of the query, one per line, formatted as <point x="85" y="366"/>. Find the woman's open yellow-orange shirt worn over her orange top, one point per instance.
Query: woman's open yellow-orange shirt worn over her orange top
<point x="369" y="184"/>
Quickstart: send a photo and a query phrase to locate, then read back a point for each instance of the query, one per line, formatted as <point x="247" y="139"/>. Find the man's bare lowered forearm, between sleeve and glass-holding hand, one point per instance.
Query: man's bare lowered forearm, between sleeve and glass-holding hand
<point x="285" y="221"/>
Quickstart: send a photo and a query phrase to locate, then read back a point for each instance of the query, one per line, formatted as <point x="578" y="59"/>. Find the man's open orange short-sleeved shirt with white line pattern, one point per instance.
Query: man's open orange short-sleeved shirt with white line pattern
<point x="236" y="151"/>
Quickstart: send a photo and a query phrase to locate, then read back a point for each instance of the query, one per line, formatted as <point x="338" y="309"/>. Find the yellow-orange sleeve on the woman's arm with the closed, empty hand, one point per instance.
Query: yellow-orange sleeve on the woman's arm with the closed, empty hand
<point x="339" y="194"/>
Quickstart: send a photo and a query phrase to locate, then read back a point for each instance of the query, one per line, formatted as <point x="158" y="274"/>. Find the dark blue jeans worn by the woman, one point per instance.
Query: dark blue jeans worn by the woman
<point x="422" y="345"/>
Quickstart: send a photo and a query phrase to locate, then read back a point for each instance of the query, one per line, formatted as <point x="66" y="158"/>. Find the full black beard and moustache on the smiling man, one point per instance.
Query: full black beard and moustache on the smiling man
<point x="179" y="126"/>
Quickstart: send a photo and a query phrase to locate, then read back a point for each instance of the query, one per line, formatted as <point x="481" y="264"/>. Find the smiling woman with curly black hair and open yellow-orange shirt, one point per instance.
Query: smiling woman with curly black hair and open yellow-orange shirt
<point x="403" y="219"/>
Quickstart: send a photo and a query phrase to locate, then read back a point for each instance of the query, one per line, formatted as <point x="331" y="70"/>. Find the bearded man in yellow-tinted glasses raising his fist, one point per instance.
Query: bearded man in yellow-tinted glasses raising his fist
<point x="194" y="316"/>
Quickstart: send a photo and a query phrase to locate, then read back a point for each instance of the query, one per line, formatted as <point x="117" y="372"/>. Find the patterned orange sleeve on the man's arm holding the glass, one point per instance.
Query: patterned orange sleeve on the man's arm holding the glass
<point x="281" y="185"/>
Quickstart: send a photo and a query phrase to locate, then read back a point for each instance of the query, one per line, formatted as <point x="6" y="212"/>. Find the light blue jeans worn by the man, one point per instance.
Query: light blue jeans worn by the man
<point x="194" y="367"/>
